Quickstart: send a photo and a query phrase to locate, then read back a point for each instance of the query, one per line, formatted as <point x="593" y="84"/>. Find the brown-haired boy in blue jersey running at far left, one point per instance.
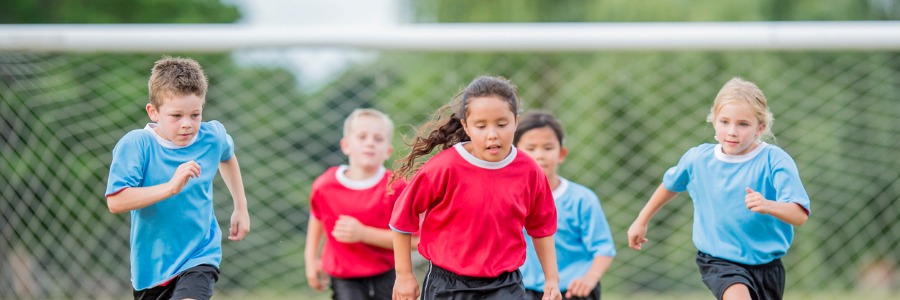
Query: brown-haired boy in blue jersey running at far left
<point x="163" y="175"/>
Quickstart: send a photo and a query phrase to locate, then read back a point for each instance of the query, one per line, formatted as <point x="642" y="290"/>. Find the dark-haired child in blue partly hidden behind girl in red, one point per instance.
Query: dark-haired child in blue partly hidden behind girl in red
<point x="584" y="244"/>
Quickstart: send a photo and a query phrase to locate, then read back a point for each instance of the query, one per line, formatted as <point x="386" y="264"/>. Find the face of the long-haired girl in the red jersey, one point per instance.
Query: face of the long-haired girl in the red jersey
<point x="491" y="125"/>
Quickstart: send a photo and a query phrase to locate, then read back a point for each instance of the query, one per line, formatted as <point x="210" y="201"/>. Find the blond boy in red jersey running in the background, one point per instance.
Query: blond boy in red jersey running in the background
<point x="351" y="207"/>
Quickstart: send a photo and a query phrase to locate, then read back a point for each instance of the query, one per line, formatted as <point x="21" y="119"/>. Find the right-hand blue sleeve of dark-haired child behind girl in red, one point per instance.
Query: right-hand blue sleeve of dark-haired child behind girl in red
<point x="597" y="235"/>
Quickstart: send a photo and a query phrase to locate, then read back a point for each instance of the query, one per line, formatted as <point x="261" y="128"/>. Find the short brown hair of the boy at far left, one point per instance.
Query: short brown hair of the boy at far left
<point x="176" y="76"/>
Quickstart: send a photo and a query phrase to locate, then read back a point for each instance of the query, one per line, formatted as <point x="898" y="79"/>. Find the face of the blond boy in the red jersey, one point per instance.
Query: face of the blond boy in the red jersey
<point x="368" y="144"/>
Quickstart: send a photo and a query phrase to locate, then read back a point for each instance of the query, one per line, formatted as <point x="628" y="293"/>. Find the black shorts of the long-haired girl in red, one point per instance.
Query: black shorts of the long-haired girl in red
<point x="443" y="284"/>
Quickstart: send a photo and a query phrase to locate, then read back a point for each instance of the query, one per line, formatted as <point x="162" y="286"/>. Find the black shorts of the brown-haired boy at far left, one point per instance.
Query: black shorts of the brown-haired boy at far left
<point x="196" y="283"/>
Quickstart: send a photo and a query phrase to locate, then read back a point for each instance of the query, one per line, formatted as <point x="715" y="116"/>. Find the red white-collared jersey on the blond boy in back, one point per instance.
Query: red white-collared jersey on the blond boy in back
<point x="333" y="195"/>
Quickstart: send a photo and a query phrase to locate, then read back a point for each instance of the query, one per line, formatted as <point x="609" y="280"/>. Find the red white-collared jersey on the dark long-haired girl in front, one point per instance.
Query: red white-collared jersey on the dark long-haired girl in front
<point x="475" y="211"/>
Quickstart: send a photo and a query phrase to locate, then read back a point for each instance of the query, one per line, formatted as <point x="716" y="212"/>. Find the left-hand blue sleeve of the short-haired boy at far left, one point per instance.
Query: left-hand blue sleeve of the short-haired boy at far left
<point x="128" y="163"/>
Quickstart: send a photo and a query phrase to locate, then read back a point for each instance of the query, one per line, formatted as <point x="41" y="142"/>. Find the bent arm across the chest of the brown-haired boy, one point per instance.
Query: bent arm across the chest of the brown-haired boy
<point x="133" y="198"/>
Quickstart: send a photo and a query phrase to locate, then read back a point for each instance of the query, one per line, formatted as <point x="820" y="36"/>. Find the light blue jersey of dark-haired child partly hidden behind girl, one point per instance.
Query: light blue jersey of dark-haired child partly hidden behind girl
<point x="582" y="233"/>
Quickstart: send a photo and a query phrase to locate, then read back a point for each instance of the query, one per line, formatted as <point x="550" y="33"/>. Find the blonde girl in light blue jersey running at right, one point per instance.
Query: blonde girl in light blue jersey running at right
<point x="747" y="197"/>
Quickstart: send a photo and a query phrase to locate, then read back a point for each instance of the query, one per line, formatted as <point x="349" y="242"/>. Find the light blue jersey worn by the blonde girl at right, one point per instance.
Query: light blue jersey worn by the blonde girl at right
<point x="723" y="225"/>
